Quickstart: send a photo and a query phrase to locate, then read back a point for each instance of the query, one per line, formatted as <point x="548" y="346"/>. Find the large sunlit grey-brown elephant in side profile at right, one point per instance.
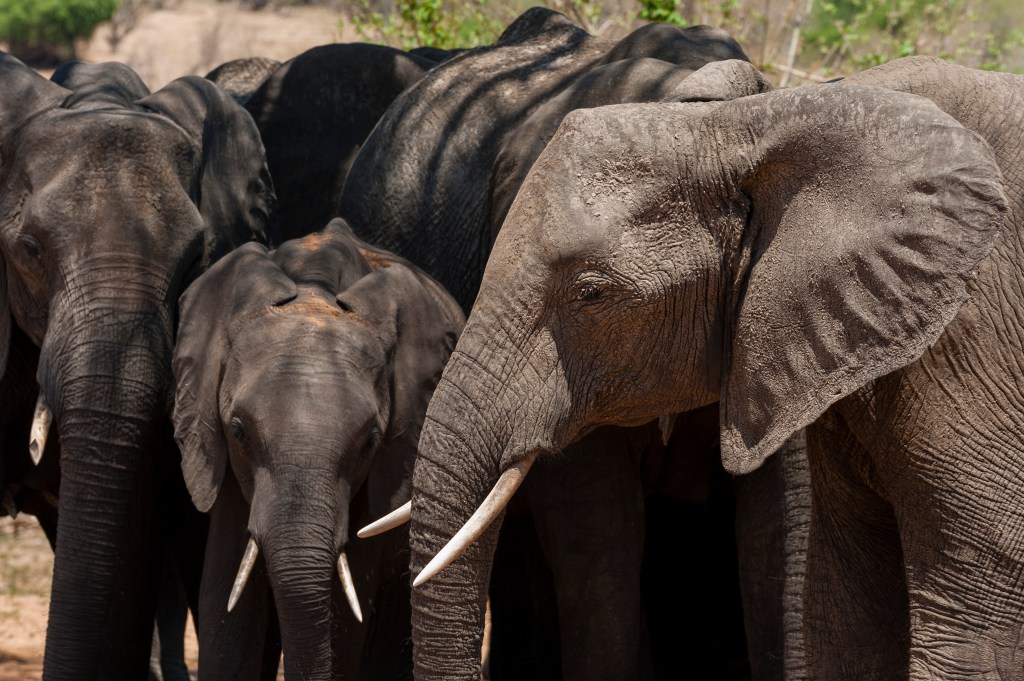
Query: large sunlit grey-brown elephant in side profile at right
<point x="838" y="258"/>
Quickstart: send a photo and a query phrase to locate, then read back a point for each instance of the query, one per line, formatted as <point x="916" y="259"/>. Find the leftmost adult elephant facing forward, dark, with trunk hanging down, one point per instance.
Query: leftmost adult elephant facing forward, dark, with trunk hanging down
<point x="113" y="200"/>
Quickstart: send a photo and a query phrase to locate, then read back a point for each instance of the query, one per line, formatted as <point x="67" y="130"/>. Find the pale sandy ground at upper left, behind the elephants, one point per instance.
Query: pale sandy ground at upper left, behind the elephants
<point x="196" y="36"/>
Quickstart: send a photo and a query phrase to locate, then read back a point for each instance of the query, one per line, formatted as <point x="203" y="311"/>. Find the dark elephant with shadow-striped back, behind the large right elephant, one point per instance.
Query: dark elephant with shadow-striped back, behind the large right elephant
<point x="431" y="184"/>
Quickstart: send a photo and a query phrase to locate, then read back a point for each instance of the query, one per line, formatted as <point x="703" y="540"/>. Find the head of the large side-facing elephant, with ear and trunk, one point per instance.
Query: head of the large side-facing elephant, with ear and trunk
<point x="772" y="254"/>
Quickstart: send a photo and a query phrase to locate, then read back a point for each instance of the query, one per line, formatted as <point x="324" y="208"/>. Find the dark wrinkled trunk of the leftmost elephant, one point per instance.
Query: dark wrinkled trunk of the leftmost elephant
<point x="105" y="368"/>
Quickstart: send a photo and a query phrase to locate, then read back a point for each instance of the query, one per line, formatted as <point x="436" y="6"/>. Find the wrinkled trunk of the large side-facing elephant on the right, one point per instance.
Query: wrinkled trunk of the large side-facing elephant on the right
<point x="457" y="466"/>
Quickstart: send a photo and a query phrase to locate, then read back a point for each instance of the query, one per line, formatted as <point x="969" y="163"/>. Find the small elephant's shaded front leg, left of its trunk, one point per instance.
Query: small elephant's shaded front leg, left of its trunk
<point x="232" y="645"/>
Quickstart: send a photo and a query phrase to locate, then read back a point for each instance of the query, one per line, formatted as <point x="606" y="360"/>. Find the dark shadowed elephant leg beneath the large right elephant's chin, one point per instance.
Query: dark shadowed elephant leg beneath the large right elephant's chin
<point x="588" y="507"/>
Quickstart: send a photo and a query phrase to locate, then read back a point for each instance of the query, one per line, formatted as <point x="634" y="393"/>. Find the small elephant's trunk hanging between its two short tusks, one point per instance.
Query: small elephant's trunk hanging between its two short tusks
<point x="302" y="559"/>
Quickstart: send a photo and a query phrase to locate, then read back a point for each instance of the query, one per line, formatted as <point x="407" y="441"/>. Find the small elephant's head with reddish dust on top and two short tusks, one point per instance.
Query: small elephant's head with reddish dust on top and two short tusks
<point x="308" y="371"/>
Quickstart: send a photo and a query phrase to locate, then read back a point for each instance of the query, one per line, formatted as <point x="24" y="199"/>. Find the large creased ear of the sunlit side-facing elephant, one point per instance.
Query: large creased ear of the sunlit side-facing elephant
<point x="871" y="212"/>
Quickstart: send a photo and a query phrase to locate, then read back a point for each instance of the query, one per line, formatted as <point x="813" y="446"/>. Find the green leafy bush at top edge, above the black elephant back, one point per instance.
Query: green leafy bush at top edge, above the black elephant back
<point x="445" y="24"/>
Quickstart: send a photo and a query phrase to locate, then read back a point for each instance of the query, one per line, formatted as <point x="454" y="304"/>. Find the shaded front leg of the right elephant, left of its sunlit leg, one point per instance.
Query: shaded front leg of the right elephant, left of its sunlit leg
<point x="857" y="623"/>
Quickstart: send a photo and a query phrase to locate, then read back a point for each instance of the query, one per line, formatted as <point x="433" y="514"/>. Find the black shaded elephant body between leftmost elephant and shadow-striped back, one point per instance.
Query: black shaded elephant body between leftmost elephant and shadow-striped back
<point x="315" y="112"/>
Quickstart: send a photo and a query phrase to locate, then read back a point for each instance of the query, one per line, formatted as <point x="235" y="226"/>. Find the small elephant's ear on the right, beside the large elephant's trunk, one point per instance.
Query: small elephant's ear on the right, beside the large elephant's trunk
<point x="424" y="323"/>
